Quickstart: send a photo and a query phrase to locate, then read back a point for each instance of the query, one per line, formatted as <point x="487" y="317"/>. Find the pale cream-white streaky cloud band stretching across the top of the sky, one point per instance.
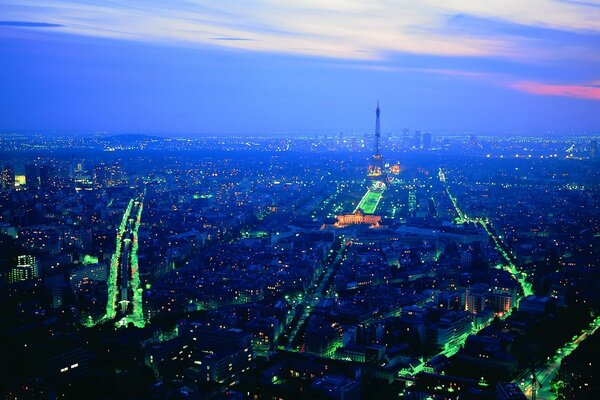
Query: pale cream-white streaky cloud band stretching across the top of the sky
<point x="344" y="29"/>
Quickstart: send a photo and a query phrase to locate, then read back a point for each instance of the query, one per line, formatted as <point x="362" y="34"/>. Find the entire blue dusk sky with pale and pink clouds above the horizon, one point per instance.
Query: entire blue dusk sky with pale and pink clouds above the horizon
<point x="275" y="66"/>
